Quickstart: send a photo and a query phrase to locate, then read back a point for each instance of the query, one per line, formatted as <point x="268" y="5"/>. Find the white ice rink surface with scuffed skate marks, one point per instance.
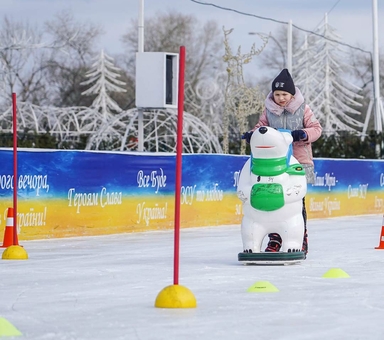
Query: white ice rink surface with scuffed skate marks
<point x="105" y="287"/>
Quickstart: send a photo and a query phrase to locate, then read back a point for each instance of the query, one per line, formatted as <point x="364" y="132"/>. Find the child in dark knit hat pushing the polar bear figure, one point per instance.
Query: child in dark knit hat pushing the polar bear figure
<point x="285" y="108"/>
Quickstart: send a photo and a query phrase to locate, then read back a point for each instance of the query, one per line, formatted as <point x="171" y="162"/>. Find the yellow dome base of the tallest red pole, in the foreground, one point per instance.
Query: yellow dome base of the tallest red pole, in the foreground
<point x="175" y="296"/>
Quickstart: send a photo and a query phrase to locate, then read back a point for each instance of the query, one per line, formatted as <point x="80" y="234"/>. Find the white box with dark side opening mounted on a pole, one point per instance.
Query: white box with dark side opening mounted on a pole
<point x="157" y="75"/>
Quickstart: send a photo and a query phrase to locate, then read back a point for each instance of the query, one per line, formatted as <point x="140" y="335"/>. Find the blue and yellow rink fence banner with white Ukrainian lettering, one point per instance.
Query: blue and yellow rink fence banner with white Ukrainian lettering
<point x="74" y="193"/>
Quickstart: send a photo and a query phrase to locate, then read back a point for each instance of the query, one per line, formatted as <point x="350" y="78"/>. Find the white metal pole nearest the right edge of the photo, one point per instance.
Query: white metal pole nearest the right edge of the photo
<point x="376" y="77"/>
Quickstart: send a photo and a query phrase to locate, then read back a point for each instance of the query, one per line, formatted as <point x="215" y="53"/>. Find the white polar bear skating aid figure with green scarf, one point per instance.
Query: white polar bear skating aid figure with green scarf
<point x="271" y="186"/>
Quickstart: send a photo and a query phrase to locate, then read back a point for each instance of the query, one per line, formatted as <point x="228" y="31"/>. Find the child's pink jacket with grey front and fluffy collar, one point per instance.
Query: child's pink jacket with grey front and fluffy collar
<point x="296" y="115"/>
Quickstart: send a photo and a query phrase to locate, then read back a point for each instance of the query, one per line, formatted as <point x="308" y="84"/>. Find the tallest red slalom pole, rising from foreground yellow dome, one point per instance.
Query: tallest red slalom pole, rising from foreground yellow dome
<point x="179" y="150"/>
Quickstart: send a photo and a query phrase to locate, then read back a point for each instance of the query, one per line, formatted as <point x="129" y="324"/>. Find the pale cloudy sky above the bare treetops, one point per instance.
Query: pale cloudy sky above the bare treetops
<point x="351" y="18"/>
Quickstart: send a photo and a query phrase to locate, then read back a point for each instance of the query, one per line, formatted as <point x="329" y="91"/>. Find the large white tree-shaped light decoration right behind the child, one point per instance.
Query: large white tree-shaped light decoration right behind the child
<point x="319" y="73"/>
